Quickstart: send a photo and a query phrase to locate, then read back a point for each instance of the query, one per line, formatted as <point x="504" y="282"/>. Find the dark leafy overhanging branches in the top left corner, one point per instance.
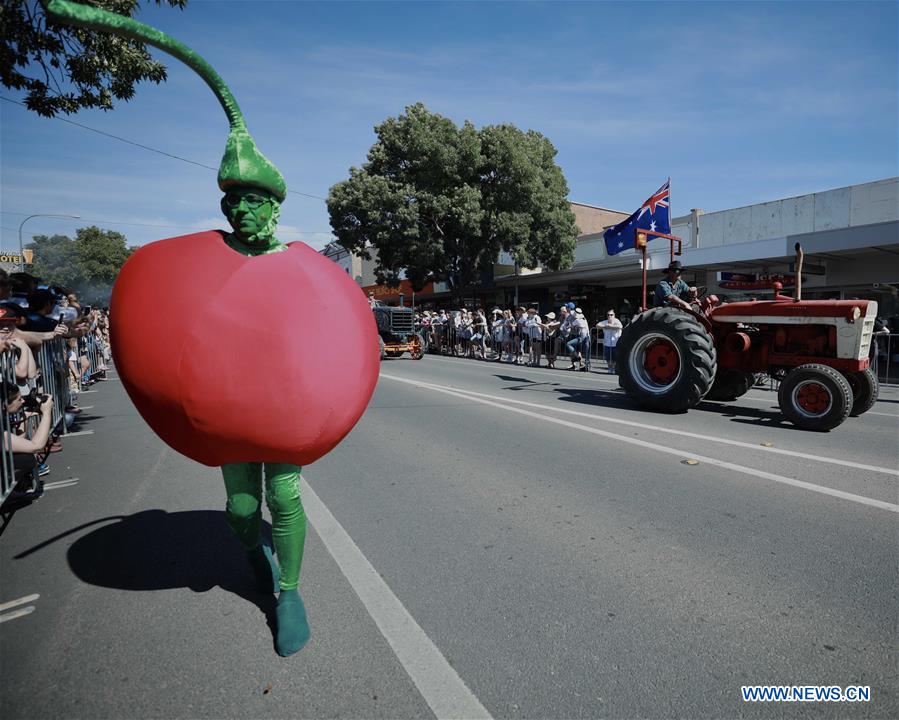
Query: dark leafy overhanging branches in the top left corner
<point x="65" y="69"/>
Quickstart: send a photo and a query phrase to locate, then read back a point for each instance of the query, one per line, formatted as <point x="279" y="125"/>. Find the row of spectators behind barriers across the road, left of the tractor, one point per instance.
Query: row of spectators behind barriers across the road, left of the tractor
<point x="520" y="336"/>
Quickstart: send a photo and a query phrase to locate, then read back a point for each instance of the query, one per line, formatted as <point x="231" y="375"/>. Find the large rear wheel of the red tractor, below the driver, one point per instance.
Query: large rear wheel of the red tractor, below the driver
<point x="667" y="360"/>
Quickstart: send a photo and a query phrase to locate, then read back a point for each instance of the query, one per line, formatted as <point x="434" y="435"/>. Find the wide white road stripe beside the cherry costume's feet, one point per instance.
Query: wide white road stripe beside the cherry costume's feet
<point x="439" y="684"/>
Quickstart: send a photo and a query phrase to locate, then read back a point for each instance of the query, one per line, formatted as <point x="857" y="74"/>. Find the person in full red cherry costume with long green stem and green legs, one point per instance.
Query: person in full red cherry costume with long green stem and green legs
<point x="240" y="351"/>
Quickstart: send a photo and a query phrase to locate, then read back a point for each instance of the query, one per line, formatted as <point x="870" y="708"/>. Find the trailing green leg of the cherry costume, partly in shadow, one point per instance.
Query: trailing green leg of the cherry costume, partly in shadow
<point x="243" y="485"/>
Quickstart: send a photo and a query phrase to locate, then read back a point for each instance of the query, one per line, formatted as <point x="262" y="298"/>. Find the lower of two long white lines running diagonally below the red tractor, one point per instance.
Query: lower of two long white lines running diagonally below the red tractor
<point x="860" y="499"/>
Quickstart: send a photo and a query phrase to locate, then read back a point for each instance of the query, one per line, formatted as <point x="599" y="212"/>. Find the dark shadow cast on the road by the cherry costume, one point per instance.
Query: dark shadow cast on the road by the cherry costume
<point x="158" y="550"/>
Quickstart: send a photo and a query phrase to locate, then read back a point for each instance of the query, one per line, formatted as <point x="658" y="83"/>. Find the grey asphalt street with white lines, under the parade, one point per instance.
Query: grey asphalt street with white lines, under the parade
<point x="536" y="546"/>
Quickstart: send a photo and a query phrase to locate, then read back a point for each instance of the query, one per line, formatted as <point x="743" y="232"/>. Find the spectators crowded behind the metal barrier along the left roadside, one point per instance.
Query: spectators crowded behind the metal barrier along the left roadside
<point x="51" y="347"/>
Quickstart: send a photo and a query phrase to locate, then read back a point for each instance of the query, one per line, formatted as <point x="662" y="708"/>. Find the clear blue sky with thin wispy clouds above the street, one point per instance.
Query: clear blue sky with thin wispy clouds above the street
<point x="736" y="102"/>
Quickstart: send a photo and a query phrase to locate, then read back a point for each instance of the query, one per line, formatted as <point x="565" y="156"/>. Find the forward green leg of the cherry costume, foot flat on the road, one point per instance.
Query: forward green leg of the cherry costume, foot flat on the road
<point x="282" y="494"/>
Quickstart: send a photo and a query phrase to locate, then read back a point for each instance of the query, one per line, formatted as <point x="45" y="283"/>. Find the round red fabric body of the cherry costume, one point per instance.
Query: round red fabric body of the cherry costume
<point x="229" y="358"/>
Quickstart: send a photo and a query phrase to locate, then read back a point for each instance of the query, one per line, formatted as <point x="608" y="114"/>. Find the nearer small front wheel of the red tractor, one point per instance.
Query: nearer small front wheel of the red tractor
<point x="815" y="397"/>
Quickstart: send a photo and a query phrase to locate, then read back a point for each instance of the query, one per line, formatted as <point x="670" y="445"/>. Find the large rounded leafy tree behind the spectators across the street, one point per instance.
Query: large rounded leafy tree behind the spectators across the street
<point x="440" y="202"/>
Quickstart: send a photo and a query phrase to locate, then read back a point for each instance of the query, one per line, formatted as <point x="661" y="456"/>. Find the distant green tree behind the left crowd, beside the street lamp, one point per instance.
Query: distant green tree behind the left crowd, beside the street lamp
<point x="89" y="264"/>
